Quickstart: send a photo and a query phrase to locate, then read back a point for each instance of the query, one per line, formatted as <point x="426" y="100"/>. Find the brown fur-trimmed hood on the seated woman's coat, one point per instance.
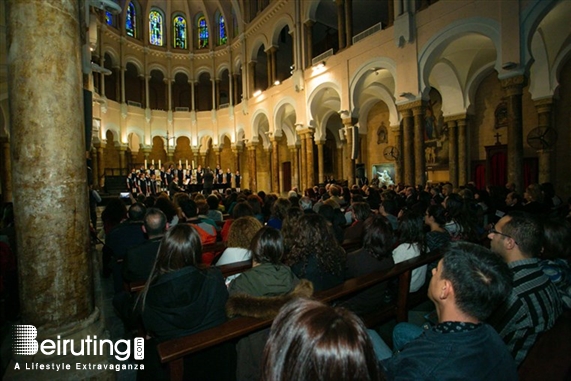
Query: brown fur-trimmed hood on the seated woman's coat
<point x="265" y="307"/>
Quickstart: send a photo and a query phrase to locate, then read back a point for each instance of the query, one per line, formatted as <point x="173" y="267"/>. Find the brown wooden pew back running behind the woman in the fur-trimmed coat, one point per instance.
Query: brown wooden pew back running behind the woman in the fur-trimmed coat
<point x="172" y="352"/>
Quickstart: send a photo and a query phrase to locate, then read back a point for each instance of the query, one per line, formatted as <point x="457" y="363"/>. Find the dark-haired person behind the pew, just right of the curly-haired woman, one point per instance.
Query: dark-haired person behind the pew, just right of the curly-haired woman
<point x="375" y="255"/>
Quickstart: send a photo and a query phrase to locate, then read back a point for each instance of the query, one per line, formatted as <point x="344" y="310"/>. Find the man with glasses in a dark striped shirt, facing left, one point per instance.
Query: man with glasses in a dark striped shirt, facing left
<point x="534" y="303"/>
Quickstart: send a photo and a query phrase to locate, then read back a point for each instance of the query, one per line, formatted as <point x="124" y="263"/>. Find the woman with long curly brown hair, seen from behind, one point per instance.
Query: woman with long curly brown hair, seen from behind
<point x="315" y="254"/>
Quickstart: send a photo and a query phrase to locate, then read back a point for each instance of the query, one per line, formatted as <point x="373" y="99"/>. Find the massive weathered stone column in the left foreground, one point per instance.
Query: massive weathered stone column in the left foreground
<point x="48" y="142"/>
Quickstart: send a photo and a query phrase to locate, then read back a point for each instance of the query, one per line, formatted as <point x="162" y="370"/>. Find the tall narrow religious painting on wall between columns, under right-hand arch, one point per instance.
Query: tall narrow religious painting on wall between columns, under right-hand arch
<point x="435" y="133"/>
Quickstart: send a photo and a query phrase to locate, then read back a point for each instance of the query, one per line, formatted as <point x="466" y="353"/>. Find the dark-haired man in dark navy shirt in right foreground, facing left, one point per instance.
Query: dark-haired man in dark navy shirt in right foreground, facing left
<point x="468" y="284"/>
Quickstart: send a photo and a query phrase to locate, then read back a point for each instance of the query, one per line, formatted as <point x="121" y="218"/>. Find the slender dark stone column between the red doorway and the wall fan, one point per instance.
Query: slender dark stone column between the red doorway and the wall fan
<point x="513" y="88"/>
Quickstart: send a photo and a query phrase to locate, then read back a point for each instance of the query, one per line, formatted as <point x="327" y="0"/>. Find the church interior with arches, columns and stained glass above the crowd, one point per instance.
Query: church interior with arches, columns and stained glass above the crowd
<point x="291" y="93"/>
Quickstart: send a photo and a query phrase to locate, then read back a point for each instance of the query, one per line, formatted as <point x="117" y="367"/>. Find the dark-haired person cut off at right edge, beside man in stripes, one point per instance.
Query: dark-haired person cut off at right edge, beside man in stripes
<point x="555" y="256"/>
